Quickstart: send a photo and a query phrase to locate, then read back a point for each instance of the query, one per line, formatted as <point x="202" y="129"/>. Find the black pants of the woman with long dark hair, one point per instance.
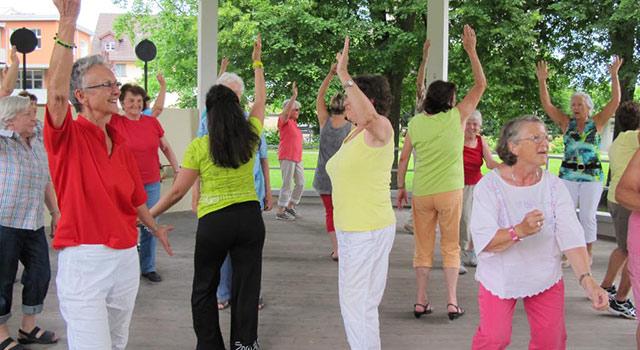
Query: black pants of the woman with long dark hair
<point x="238" y="230"/>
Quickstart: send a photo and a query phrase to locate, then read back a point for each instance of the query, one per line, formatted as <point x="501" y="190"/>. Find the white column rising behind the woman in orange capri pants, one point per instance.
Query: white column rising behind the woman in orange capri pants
<point x="438" y="34"/>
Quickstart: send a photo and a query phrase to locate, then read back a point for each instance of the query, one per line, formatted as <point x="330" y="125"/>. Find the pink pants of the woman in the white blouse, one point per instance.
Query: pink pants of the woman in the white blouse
<point x="545" y="313"/>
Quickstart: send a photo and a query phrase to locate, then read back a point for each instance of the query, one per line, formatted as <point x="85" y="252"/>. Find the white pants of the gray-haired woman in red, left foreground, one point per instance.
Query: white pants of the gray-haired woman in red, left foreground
<point x="97" y="288"/>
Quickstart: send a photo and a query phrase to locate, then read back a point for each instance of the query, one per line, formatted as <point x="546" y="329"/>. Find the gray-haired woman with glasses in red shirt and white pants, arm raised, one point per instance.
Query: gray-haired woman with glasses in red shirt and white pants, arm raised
<point x="101" y="196"/>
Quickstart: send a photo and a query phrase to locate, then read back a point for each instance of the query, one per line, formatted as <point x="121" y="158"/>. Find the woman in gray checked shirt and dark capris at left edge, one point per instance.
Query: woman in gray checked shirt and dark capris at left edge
<point x="24" y="189"/>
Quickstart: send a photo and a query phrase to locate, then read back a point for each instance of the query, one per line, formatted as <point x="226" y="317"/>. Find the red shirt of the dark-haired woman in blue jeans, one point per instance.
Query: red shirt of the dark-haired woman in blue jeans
<point x="143" y="139"/>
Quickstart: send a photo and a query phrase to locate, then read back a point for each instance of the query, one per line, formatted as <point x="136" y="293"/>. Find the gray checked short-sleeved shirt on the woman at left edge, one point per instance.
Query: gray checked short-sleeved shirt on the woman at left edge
<point x="24" y="175"/>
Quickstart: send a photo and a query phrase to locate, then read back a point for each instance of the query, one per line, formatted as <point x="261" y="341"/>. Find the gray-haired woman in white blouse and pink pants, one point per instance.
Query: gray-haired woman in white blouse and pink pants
<point x="523" y="220"/>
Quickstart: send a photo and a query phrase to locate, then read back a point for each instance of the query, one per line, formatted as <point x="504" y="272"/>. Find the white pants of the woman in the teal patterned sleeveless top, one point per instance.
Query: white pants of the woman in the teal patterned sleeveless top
<point x="586" y="196"/>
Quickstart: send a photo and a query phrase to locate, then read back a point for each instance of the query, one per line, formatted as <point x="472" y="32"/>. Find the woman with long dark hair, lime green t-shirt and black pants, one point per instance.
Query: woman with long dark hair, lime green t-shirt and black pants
<point x="229" y="215"/>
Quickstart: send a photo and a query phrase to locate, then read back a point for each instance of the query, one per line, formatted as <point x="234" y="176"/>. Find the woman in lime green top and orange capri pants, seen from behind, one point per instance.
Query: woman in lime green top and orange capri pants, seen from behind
<point x="438" y="138"/>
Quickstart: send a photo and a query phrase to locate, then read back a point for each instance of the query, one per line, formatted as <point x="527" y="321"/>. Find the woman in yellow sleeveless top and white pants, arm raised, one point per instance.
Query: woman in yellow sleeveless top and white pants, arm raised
<point x="364" y="220"/>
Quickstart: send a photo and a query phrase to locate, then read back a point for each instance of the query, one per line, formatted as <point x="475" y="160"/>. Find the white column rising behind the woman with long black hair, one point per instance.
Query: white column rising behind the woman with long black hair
<point x="207" y="48"/>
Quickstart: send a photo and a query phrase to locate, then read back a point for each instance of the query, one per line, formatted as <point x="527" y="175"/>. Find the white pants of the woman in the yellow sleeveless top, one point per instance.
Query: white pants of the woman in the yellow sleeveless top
<point x="362" y="277"/>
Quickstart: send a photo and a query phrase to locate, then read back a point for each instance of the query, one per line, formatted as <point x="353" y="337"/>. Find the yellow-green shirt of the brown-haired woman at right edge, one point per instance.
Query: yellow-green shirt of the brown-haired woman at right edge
<point x="620" y="153"/>
